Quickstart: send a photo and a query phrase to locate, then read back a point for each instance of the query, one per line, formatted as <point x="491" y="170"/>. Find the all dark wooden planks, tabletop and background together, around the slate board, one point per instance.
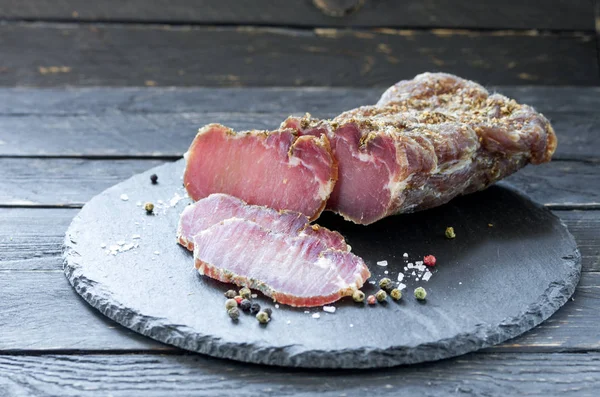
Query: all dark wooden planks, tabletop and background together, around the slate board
<point x="74" y="121"/>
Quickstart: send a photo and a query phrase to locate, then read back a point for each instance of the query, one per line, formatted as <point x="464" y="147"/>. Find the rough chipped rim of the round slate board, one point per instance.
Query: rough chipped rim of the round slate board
<point x="481" y="336"/>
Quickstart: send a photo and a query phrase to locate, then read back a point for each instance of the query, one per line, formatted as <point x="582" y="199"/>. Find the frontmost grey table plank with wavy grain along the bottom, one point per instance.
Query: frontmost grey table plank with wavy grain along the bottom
<point x="150" y="375"/>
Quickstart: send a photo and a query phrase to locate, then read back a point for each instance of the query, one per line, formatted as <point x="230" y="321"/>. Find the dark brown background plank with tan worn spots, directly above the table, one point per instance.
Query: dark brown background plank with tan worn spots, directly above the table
<point x="53" y="54"/>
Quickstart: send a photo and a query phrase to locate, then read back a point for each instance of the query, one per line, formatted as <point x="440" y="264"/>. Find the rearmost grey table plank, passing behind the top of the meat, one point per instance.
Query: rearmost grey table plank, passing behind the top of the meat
<point x="162" y="121"/>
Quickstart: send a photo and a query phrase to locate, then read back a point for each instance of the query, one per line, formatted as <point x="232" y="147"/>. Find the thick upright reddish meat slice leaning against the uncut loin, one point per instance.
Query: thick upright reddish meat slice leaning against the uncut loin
<point x="277" y="169"/>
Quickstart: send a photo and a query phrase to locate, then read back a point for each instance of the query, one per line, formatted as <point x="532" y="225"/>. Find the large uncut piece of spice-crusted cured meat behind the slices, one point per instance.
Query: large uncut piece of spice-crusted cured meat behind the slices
<point x="425" y="142"/>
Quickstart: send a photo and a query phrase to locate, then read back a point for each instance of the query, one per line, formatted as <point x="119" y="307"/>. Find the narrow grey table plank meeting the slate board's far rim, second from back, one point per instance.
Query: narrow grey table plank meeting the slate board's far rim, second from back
<point x="57" y="181"/>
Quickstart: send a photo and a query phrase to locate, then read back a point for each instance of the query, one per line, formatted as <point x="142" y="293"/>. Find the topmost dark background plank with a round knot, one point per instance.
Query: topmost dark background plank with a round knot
<point x="555" y="14"/>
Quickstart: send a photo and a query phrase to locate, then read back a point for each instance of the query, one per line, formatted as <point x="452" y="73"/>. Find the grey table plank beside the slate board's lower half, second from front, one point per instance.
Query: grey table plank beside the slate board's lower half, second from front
<point x="31" y="300"/>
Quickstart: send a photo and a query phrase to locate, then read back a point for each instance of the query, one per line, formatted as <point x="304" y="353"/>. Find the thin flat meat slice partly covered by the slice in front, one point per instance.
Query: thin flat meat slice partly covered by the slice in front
<point x="219" y="207"/>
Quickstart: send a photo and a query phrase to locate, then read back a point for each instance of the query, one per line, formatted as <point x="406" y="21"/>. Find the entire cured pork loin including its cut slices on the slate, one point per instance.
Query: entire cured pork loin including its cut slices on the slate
<point x="425" y="142"/>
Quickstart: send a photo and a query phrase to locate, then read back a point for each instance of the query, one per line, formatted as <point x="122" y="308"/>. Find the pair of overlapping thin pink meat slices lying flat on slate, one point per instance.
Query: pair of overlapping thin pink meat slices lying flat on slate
<point x="276" y="252"/>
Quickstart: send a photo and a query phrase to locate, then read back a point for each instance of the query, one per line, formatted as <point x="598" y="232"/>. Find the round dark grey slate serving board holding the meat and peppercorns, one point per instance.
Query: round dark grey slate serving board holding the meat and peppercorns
<point x="511" y="265"/>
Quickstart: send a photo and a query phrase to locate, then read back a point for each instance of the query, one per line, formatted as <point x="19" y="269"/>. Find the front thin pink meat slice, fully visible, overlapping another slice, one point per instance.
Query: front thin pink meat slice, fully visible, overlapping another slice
<point x="294" y="270"/>
